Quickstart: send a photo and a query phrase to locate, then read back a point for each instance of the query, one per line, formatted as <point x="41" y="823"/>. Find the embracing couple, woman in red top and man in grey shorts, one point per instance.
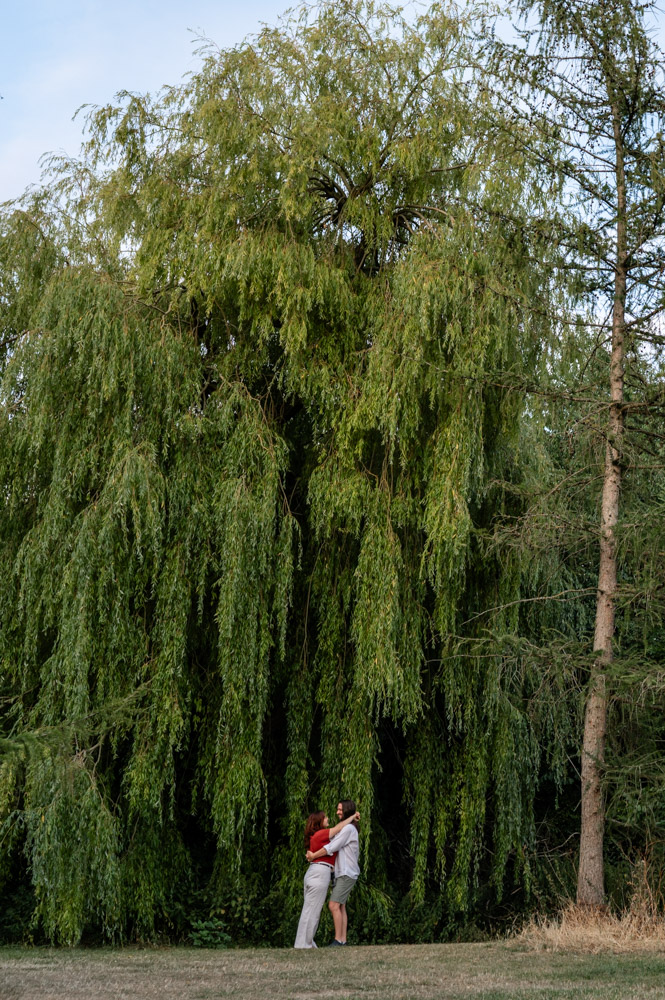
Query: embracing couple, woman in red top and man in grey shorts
<point x="330" y="851"/>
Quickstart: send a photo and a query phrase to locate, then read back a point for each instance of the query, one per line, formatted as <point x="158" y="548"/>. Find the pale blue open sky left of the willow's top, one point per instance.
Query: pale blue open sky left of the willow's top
<point x="56" y="55"/>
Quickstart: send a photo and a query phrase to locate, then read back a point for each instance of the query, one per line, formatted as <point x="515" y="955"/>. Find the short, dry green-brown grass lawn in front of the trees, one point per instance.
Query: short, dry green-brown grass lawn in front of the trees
<point x="496" y="971"/>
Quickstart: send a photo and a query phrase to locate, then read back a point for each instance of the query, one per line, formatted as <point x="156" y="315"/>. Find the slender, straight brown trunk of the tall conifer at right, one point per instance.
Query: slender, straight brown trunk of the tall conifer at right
<point x="590" y="880"/>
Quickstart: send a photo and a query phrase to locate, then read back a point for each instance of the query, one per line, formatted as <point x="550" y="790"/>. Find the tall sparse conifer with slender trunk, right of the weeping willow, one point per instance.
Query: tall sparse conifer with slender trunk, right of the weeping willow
<point x="588" y="79"/>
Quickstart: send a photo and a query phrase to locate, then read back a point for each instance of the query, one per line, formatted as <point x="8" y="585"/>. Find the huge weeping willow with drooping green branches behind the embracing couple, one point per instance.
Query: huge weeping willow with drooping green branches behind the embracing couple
<point x="252" y="452"/>
